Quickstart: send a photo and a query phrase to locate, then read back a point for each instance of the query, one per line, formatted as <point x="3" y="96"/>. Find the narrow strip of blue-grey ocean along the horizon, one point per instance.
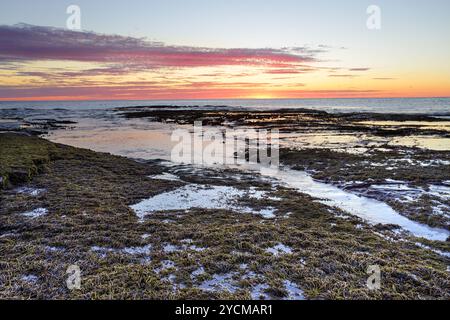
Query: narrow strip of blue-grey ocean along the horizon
<point x="344" y="105"/>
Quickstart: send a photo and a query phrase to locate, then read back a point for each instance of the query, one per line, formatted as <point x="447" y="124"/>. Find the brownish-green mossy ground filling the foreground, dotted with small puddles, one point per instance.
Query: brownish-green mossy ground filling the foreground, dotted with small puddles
<point x="174" y="255"/>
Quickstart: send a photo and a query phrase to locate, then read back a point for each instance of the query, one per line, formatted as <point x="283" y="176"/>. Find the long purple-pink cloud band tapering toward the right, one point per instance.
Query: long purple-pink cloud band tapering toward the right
<point x="30" y="43"/>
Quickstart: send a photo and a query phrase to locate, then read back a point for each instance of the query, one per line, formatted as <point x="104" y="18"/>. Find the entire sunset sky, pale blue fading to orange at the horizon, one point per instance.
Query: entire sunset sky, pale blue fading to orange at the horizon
<point x="219" y="49"/>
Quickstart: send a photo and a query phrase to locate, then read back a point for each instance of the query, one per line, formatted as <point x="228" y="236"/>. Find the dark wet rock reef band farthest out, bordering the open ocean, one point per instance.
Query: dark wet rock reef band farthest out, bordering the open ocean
<point x="287" y="120"/>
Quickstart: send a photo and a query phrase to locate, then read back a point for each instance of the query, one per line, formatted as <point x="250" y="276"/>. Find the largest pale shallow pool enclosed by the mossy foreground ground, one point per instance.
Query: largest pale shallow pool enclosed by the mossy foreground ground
<point x="201" y="197"/>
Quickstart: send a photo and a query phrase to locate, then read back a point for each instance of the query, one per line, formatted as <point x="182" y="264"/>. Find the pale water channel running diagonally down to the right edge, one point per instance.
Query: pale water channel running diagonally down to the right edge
<point x="373" y="211"/>
